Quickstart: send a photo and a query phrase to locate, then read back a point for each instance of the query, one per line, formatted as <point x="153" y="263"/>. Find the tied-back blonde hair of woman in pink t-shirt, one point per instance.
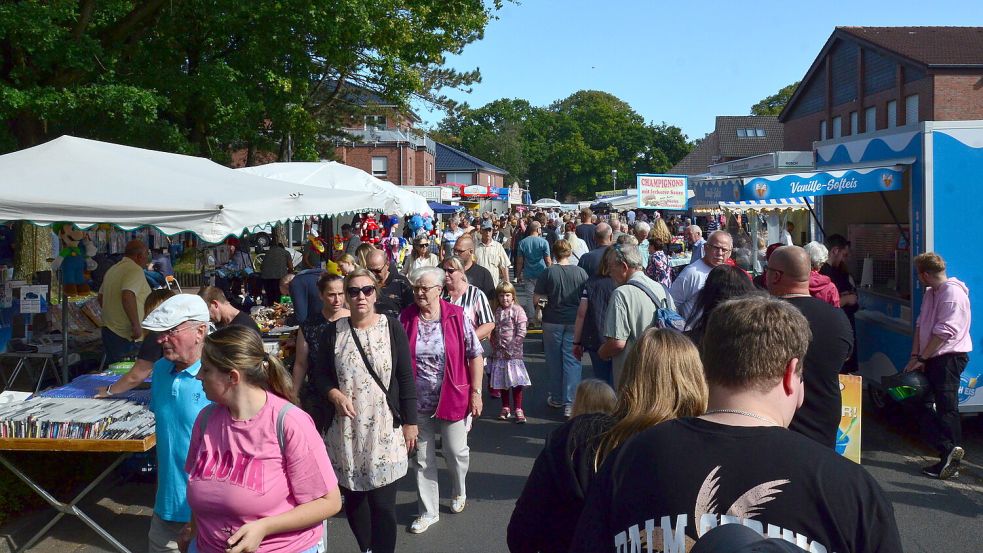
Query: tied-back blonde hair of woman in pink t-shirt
<point x="239" y="348"/>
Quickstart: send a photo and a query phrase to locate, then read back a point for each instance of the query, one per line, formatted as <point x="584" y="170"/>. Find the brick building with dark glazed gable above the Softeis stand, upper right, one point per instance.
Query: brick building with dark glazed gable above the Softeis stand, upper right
<point x="867" y="79"/>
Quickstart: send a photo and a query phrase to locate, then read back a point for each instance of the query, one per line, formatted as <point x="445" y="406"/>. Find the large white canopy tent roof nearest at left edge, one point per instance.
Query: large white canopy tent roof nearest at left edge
<point x="88" y="182"/>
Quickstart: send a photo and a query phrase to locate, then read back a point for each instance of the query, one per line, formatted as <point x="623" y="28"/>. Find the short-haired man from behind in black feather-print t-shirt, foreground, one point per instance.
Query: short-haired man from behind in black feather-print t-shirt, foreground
<point x="738" y="464"/>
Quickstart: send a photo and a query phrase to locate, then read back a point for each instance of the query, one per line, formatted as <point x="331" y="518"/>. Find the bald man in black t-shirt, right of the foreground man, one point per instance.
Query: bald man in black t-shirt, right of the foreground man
<point x="832" y="340"/>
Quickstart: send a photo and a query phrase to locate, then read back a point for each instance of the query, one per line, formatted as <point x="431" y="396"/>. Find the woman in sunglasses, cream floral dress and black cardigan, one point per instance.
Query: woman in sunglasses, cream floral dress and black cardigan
<point x="363" y="368"/>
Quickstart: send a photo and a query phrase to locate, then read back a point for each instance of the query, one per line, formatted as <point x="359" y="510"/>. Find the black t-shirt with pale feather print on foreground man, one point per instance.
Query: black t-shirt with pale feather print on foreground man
<point x="672" y="483"/>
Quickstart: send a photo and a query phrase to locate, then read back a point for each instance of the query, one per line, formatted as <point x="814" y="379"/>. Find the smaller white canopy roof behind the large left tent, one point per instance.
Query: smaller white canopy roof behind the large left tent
<point x="387" y="197"/>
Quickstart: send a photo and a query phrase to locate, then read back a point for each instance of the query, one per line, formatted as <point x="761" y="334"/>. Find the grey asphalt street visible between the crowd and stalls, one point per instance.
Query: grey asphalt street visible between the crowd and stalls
<point x="933" y="516"/>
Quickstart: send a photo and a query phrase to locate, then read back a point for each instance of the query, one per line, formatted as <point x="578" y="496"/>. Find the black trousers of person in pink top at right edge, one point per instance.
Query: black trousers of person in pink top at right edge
<point x="943" y="426"/>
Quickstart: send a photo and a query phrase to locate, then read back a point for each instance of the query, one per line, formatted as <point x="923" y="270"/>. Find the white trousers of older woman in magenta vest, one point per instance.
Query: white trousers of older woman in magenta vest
<point x="456" y="455"/>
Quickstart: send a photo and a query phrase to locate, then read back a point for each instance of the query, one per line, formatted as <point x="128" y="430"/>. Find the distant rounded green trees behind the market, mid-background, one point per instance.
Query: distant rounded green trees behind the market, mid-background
<point x="569" y="147"/>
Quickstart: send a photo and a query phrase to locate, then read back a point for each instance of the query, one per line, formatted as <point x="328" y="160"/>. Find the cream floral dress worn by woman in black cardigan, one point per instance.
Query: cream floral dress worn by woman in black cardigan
<point x="366" y="451"/>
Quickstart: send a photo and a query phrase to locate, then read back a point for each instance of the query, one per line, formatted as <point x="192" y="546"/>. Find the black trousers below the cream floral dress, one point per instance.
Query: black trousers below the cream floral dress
<point x="372" y="517"/>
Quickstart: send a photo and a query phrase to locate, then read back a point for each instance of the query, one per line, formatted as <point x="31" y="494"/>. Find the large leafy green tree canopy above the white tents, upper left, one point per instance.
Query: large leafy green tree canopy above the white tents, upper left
<point x="206" y="76"/>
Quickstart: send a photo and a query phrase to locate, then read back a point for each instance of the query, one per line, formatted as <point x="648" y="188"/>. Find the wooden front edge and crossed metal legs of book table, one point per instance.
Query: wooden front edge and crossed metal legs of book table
<point x="122" y="449"/>
